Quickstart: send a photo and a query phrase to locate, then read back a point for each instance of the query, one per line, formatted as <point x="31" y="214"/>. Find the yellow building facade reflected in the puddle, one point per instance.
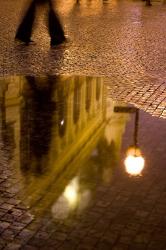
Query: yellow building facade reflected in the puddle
<point x="66" y="138"/>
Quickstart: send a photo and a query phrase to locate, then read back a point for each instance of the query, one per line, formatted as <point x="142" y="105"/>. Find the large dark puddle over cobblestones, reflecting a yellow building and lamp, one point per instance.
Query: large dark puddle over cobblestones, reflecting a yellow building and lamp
<point x="63" y="183"/>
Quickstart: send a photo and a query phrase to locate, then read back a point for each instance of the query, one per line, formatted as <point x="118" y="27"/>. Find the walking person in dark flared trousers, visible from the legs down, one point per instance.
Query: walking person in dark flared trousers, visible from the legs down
<point x="55" y="28"/>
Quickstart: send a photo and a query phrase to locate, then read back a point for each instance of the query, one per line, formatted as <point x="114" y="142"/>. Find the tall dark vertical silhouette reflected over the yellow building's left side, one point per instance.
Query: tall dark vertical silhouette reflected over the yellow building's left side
<point x="36" y="123"/>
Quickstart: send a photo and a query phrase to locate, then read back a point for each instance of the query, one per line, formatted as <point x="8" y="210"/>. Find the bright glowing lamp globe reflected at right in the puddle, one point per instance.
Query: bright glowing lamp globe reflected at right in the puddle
<point x="134" y="164"/>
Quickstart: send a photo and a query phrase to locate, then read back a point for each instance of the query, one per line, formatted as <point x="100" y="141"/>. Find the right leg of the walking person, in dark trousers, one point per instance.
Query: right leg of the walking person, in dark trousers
<point x="55" y="28"/>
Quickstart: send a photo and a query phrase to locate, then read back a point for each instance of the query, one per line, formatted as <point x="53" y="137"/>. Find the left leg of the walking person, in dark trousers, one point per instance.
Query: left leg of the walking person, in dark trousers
<point x="24" y="30"/>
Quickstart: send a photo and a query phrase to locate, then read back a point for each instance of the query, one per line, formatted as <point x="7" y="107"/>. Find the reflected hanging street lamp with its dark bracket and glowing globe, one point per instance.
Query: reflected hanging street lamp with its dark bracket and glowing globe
<point x="134" y="161"/>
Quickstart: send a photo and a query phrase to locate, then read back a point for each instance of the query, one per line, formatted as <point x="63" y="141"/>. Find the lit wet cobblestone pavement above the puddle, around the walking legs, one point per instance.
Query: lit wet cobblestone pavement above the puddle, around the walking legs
<point x="123" y="40"/>
